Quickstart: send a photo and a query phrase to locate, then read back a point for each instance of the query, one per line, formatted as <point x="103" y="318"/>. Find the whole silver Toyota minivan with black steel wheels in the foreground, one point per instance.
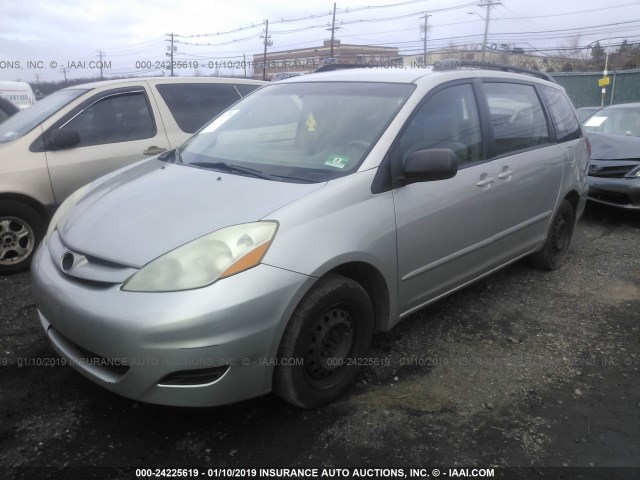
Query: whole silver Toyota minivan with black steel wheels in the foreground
<point x="264" y="253"/>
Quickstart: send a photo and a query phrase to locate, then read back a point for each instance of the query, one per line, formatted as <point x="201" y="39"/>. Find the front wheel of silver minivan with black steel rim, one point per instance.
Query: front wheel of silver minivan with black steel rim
<point x="329" y="331"/>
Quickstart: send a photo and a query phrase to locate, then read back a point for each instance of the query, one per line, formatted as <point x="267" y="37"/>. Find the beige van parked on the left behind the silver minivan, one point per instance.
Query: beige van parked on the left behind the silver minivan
<point x="77" y="134"/>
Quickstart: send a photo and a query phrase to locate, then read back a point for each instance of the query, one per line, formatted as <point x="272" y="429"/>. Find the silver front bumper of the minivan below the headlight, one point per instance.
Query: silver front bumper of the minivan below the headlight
<point x="147" y="346"/>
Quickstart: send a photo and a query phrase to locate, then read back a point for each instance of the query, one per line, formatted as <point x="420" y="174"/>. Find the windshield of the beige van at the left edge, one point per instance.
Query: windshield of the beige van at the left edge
<point x="26" y="120"/>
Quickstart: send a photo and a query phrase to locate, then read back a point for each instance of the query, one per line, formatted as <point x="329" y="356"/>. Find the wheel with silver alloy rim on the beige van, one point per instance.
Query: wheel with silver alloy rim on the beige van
<point x="21" y="230"/>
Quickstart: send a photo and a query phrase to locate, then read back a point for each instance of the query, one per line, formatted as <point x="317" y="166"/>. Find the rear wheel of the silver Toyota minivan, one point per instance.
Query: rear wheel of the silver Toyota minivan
<point x="556" y="247"/>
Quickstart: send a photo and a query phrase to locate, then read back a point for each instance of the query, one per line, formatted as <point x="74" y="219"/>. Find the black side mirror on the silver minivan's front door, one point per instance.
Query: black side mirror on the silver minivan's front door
<point x="430" y="165"/>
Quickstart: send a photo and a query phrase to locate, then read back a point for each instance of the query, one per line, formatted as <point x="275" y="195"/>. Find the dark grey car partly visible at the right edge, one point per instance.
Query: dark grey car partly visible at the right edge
<point x="614" y="170"/>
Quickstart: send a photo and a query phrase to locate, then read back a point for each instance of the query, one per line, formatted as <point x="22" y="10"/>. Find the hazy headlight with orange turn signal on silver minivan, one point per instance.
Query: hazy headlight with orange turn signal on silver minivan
<point x="203" y="261"/>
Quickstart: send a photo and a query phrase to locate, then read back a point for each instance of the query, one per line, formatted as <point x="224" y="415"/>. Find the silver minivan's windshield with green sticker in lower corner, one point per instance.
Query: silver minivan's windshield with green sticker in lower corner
<point x="299" y="132"/>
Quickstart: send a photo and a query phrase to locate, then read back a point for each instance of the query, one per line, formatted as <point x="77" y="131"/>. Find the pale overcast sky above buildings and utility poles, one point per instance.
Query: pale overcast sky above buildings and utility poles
<point x="133" y="34"/>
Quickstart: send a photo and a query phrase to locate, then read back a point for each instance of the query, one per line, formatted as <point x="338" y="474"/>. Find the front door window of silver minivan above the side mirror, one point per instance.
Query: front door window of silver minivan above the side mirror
<point x="448" y="119"/>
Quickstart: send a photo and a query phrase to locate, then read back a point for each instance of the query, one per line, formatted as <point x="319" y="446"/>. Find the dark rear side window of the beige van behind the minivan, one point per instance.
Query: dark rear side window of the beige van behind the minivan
<point x="195" y="104"/>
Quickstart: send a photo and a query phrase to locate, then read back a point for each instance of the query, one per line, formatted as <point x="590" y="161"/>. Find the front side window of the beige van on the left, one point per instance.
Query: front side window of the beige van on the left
<point x="115" y="118"/>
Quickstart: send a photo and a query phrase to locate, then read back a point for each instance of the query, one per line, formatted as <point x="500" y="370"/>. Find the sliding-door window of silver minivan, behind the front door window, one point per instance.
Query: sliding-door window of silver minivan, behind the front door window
<point x="517" y="117"/>
